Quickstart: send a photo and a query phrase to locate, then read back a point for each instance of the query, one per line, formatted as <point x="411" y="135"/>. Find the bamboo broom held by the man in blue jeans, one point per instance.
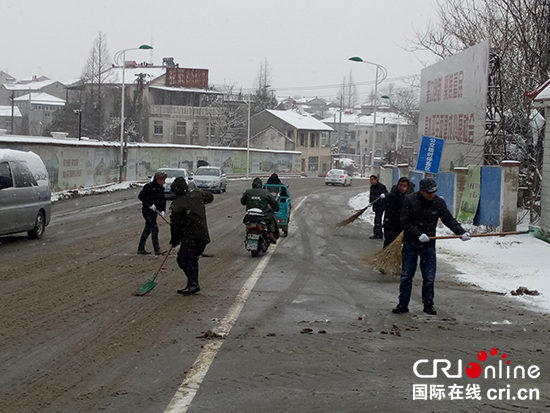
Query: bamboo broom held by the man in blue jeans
<point x="388" y="260"/>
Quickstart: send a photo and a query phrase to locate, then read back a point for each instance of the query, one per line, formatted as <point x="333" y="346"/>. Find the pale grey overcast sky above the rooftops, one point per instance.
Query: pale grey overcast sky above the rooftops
<point x="307" y="43"/>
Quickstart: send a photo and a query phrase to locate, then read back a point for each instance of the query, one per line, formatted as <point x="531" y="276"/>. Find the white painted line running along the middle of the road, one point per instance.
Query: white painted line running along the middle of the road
<point x="191" y="384"/>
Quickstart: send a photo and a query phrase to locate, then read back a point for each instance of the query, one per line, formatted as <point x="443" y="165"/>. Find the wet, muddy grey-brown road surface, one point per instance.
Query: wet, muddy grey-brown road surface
<point x="75" y="339"/>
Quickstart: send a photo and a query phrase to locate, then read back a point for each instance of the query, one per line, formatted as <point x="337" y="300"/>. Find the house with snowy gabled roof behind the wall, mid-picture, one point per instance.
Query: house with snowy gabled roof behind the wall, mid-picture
<point x="292" y="131"/>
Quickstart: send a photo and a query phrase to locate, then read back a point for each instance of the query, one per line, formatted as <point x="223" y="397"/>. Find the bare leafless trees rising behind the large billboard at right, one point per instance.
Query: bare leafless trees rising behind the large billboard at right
<point x="518" y="32"/>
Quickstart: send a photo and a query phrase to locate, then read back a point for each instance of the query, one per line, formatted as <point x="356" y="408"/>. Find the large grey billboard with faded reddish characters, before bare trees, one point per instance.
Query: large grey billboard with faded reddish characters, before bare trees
<point x="453" y="105"/>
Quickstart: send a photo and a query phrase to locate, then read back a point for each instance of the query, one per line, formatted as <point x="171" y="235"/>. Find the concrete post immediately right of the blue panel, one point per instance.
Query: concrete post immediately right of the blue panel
<point x="509" y="195"/>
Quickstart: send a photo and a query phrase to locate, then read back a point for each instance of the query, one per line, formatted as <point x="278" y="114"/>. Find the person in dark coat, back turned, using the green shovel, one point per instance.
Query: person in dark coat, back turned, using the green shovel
<point x="188" y="227"/>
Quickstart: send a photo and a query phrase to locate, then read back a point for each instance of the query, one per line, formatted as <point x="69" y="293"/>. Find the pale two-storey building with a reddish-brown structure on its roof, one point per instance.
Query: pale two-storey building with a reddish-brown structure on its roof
<point x="165" y="104"/>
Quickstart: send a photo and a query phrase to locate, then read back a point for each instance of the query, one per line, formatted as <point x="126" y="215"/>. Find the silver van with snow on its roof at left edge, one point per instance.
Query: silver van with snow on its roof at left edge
<point x="25" y="197"/>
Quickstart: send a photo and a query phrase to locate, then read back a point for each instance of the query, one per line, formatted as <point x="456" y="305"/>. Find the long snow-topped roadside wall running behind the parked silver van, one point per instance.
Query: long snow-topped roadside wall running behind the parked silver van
<point x="76" y="164"/>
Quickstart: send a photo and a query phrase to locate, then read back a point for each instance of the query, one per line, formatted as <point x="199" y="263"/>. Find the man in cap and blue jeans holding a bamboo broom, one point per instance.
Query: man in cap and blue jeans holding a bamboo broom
<point x="419" y="215"/>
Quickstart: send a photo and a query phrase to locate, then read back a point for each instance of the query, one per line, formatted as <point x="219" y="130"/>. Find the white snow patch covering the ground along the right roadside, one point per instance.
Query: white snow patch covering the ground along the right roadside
<point x="500" y="264"/>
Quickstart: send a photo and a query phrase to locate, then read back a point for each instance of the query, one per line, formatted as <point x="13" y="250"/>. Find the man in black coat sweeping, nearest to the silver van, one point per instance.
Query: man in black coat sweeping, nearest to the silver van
<point x="153" y="200"/>
